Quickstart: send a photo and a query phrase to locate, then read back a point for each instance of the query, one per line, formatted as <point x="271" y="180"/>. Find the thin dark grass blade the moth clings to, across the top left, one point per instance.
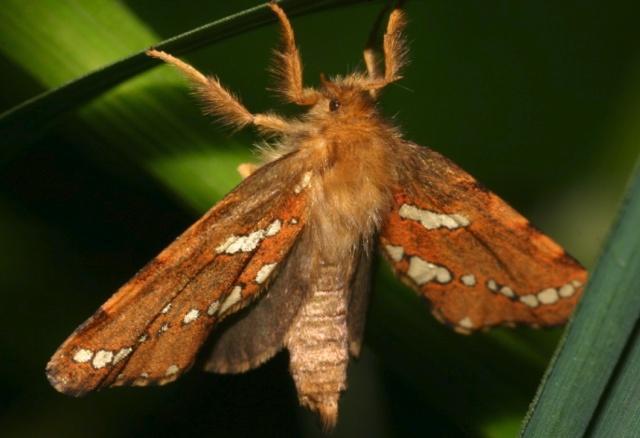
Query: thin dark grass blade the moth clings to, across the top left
<point x="22" y="122"/>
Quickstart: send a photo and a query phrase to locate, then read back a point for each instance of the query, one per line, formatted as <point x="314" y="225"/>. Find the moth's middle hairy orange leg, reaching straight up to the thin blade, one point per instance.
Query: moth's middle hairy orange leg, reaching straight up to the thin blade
<point x="287" y="67"/>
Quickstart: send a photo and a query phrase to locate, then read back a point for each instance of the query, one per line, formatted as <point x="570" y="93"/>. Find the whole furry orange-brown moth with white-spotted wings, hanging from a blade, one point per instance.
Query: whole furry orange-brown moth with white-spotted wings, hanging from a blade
<point x="292" y="246"/>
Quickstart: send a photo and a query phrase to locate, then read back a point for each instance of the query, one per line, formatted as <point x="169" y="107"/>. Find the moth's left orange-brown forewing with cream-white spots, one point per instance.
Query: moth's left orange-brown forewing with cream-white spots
<point x="149" y="331"/>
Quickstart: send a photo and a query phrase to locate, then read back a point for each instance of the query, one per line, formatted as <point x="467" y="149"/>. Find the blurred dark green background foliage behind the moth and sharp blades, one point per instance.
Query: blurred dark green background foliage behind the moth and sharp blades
<point x="539" y="100"/>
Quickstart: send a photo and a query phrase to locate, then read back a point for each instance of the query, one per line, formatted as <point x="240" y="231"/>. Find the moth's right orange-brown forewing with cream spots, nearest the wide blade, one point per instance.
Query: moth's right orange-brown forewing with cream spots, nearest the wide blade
<point x="478" y="261"/>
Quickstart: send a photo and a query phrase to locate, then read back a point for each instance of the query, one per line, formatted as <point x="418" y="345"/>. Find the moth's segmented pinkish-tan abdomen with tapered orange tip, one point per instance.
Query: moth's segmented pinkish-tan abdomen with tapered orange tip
<point x="318" y="345"/>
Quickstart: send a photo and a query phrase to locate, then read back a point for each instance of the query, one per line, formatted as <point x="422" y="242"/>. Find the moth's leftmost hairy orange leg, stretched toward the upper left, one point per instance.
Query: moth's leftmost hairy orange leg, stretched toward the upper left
<point x="220" y="102"/>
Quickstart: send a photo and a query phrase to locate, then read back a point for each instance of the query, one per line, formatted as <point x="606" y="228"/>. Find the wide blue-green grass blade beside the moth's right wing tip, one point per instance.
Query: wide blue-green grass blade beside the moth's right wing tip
<point x="591" y="351"/>
